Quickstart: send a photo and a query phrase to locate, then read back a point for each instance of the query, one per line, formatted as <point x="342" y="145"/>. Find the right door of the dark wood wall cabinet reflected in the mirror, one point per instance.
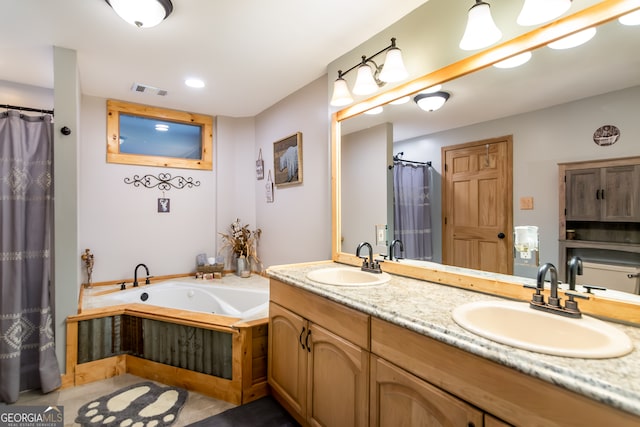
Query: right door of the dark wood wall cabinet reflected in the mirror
<point x="619" y="196"/>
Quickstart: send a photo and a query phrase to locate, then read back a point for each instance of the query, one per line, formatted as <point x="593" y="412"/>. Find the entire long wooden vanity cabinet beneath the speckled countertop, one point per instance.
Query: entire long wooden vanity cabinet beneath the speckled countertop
<point x="361" y="370"/>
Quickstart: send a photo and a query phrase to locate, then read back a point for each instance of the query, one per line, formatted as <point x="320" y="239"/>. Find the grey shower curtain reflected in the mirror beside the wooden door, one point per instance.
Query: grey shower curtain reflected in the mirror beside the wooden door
<point x="412" y="209"/>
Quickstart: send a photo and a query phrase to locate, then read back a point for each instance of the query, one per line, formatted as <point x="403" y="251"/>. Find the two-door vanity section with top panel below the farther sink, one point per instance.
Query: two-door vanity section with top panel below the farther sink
<point x="321" y="377"/>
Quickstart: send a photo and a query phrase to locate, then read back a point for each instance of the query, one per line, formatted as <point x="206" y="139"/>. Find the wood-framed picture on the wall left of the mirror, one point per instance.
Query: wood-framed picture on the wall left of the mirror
<point x="287" y="160"/>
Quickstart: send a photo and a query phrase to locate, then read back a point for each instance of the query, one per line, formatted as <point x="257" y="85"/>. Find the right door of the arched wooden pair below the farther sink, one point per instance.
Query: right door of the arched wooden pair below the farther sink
<point x="338" y="381"/>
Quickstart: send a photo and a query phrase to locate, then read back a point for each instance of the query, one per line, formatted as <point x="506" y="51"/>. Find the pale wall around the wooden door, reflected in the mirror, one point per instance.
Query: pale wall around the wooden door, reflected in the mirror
<point x="541" y="140"/>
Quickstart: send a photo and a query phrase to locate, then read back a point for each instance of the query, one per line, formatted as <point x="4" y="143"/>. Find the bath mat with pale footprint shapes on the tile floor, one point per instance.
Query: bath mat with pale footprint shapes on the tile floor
<point x="143" y="404"/>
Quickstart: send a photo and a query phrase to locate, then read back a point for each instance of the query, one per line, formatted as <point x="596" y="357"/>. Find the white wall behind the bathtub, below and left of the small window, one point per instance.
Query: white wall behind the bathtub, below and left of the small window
<point x="119" y="222"/>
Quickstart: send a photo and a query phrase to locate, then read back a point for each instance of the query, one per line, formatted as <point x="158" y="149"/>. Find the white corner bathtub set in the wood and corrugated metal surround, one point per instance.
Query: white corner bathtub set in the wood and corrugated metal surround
<point x="206" y="297"/>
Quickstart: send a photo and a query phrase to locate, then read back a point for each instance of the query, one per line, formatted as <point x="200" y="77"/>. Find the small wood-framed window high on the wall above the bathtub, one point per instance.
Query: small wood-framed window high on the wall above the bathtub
<point x="152" y="136"/>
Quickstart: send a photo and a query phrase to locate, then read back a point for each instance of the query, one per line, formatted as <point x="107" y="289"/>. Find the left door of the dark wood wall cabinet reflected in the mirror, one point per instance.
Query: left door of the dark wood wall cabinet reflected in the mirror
<point x="583" y="194"/>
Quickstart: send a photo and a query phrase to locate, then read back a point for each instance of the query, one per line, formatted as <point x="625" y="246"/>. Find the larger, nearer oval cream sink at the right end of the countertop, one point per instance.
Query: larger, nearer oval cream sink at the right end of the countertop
<point x="518" y="325"/>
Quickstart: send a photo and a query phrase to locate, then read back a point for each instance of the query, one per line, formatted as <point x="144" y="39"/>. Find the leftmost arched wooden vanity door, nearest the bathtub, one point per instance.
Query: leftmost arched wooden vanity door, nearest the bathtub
<point x="287" y="366"/>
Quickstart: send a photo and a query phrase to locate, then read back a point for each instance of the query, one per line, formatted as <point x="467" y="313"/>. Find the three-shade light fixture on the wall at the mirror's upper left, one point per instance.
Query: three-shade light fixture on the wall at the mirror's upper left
<point x="370" y="76"/>
